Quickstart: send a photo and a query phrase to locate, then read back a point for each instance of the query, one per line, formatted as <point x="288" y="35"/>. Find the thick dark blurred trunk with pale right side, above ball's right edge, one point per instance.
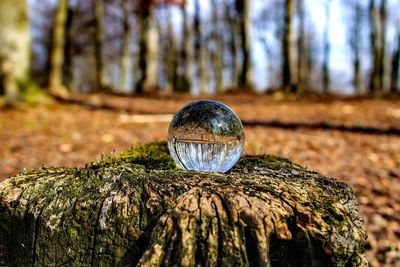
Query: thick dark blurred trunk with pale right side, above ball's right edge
<point x="243" y="12"/>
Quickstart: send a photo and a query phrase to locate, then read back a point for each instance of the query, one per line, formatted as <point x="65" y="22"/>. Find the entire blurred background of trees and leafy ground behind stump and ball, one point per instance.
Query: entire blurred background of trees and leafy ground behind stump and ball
<point x="315" y="81"/>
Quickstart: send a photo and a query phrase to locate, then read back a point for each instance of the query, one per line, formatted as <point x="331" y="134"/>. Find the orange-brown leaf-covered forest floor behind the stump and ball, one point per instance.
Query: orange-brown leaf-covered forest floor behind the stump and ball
<point x="356" y="141"/>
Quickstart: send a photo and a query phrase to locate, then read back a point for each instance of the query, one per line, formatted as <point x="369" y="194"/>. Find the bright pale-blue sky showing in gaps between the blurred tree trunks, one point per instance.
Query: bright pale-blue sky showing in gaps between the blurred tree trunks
<point x="266" y="52"/>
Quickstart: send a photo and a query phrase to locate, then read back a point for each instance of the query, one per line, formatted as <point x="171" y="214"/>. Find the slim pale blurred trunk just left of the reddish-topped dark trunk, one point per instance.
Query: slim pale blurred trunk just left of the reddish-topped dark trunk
<point x="125" y="48"/>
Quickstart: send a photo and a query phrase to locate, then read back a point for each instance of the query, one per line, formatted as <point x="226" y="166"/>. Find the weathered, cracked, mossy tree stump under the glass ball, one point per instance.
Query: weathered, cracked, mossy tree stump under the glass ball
<point x="139" y="209"/>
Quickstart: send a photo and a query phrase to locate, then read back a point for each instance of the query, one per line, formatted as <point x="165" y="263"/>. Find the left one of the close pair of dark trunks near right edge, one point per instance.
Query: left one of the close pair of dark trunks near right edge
<point x="375" y="51"/>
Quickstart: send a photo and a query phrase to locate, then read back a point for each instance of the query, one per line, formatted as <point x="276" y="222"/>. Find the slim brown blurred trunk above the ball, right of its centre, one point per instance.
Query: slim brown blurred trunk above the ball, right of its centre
<point x="217" y="50"/>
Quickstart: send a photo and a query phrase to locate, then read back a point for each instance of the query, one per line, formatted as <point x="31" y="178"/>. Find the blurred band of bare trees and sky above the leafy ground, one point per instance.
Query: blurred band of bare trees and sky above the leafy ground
<point x="200" y="47"/>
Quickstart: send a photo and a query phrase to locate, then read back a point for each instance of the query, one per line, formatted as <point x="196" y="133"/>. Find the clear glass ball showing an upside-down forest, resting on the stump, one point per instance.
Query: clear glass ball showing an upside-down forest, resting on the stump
<point x="206" y="136"/>
